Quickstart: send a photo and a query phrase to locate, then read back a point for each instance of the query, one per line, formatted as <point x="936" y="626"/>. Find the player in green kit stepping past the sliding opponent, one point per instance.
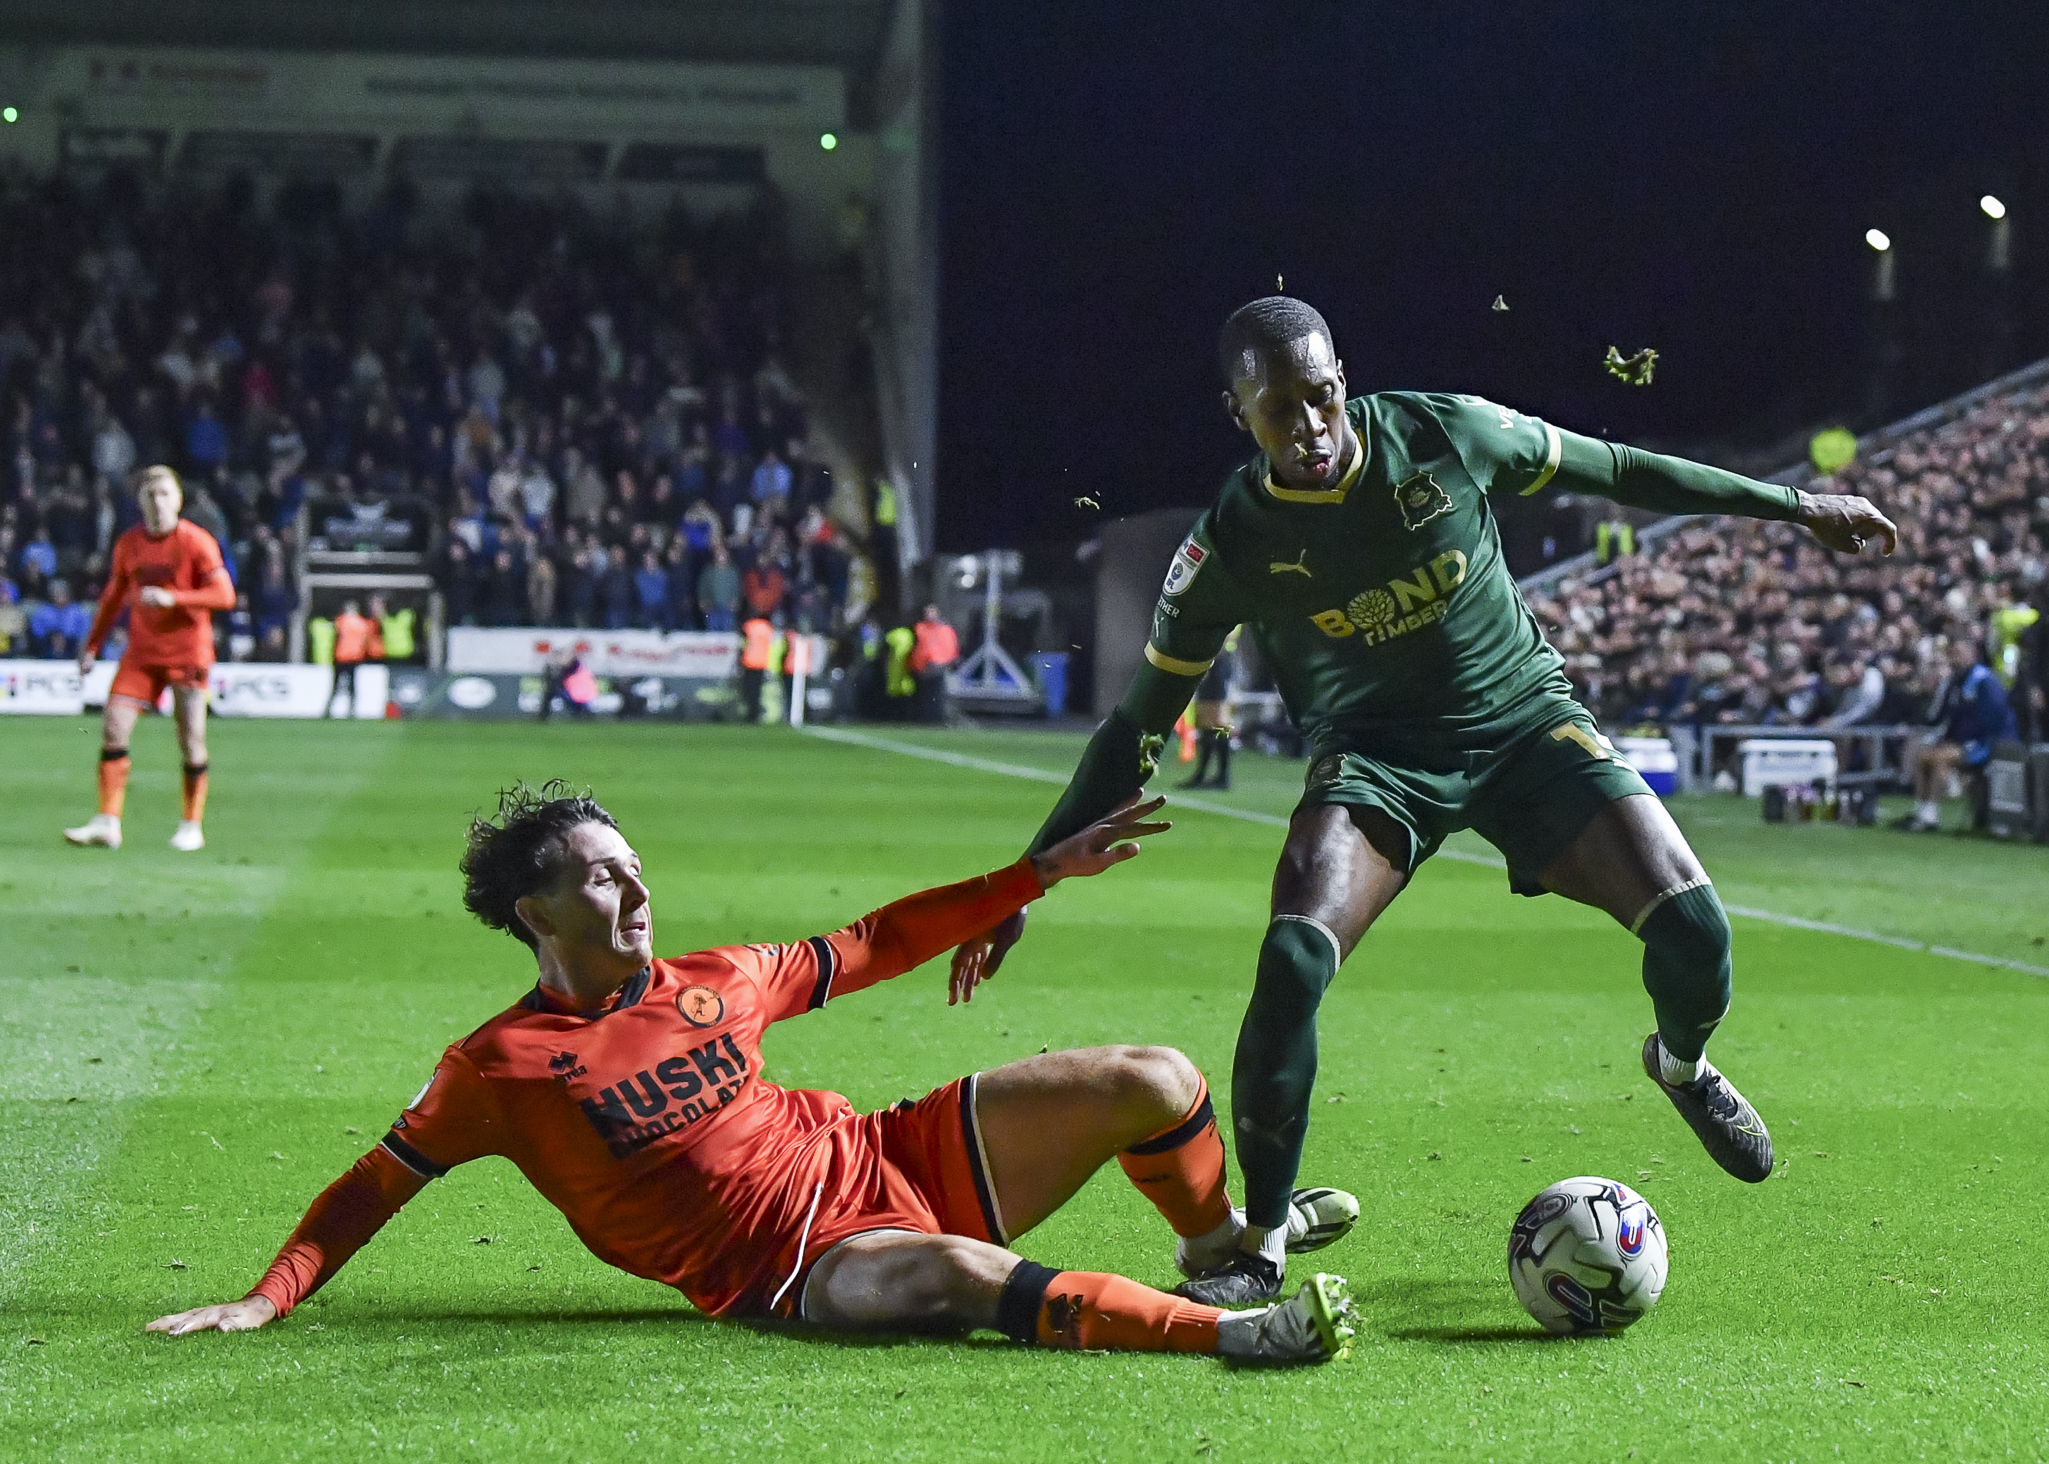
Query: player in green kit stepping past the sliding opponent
<point x="1362" y="548"/>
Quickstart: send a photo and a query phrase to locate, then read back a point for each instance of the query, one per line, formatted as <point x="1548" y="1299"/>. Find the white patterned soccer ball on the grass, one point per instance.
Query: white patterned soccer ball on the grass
<point x="1587" y="1258"/>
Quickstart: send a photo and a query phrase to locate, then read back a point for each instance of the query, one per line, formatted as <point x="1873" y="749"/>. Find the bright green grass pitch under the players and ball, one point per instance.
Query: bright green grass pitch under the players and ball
<point x="196" y="1045"/>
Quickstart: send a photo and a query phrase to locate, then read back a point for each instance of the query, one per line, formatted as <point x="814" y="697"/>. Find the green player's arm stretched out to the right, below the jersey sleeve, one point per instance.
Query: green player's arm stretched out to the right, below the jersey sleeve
<point x="1673" y="485"/>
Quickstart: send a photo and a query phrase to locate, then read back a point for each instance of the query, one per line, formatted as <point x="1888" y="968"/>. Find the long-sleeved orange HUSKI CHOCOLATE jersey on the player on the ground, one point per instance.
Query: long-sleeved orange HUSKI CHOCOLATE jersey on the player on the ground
<point x="651" y="1127"/>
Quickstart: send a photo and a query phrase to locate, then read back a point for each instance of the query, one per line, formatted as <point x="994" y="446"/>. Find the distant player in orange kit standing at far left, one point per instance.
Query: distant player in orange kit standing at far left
<point x="169" y="575"/>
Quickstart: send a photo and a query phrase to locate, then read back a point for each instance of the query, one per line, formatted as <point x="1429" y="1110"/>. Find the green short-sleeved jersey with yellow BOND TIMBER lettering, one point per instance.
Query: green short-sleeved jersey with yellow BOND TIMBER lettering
<point x="1384" y="606"/>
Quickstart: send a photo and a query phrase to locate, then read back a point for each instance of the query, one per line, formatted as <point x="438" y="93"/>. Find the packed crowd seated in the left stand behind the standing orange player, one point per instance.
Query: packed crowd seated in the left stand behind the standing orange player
<point x="589" y="425"/>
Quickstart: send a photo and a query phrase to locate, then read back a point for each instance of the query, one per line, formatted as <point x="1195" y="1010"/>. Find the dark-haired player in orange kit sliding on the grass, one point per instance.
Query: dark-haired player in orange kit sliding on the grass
<point x="628" y="1090"/>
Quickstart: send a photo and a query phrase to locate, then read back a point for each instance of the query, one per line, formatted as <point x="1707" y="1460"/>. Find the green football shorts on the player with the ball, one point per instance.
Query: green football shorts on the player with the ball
<point x="1530" y="799"/>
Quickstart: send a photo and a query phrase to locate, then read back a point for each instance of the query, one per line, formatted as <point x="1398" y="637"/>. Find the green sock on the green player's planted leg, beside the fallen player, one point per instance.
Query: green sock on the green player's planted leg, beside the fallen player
<point x="1276" y="1067"/>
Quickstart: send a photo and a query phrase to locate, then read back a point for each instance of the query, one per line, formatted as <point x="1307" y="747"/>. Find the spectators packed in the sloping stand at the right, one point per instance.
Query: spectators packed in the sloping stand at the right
<point x="1747" y="622"/>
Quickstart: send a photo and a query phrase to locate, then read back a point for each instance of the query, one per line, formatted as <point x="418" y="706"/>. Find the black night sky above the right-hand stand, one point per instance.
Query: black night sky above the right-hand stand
<point x="1698" y="179"/>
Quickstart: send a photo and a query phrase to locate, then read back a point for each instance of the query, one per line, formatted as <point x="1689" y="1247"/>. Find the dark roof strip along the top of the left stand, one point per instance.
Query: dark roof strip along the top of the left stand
<point x="843" y="34"/>
